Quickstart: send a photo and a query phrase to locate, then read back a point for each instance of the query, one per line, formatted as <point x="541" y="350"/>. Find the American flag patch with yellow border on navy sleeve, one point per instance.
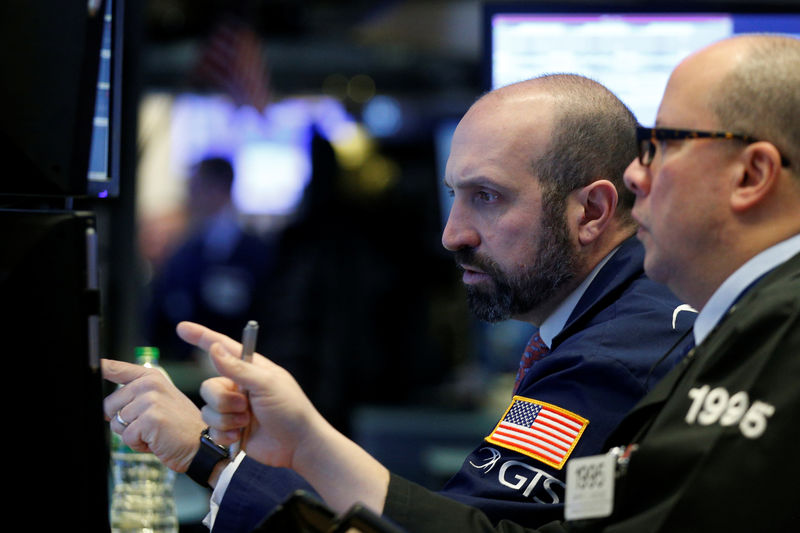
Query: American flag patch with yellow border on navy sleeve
<point x="539" y="430"/>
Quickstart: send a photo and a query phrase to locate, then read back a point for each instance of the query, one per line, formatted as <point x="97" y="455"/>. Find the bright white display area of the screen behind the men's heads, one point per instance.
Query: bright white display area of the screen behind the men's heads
<point x="632" y="55"/>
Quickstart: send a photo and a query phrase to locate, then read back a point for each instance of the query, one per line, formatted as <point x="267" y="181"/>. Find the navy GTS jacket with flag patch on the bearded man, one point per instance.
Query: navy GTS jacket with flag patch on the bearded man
<point x="620" y="339"/>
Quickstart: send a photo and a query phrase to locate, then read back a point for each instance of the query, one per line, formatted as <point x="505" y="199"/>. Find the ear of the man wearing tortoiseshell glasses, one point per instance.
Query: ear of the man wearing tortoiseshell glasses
<point x="761" y="168"/>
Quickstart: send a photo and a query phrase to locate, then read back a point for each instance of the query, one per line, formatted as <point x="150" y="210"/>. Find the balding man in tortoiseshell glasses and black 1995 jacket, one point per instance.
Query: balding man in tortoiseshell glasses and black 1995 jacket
<point x="711" y="447"/>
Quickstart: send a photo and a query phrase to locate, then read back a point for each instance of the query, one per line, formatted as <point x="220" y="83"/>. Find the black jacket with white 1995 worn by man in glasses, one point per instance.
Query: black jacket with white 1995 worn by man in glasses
<point x="716" y="449"/>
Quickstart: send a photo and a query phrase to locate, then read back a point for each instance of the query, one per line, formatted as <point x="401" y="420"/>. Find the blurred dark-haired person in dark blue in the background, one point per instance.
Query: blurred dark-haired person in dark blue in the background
<point x="216" y="273"/>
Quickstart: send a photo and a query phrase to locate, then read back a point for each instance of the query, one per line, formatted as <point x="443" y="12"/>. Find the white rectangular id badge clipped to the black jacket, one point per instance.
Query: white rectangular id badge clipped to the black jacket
<point x="590" y="487"/>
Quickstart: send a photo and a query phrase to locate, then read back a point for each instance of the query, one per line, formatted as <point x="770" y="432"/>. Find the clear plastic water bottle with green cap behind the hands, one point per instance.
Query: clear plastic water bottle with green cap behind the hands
<point x="143" y="500"/>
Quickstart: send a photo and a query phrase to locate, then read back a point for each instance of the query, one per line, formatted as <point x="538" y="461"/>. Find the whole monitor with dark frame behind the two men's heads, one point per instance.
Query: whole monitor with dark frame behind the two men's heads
<point x="632" y="52"/>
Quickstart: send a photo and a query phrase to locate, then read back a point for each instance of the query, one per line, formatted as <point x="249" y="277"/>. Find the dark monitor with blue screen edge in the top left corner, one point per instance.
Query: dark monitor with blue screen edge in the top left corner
<point x="51" y="59"/>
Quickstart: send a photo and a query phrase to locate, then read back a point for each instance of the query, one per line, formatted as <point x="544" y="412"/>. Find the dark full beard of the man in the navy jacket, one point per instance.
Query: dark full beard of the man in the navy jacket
<point x="517" y="293"/>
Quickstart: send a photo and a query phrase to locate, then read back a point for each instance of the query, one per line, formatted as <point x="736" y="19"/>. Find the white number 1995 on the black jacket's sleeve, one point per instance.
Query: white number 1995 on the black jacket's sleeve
<point x="712" y="406"/>
